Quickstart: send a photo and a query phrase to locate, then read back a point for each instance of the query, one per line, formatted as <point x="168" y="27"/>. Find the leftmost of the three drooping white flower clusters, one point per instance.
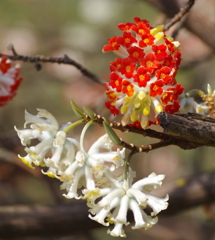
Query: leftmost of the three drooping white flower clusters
<point x="45" y="128"/>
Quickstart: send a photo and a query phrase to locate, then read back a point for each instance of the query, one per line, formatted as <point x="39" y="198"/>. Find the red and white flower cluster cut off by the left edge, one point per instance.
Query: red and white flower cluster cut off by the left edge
<point x="9" y="80"/>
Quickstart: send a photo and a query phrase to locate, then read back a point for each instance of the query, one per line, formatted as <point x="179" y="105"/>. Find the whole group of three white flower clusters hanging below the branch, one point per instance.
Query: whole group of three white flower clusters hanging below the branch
<point x="91" y="175"/>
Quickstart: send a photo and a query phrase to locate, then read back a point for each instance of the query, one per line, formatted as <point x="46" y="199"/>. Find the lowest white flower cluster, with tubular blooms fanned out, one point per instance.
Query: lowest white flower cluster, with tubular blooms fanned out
<point x="115" y="201"/>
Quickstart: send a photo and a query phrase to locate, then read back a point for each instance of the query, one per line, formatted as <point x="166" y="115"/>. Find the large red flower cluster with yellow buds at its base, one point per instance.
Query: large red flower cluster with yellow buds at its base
<point x="143" y="80"/>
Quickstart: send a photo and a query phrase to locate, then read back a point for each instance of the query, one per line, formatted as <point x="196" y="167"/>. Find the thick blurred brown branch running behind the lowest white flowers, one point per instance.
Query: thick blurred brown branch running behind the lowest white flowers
<point x="48" y="221"/>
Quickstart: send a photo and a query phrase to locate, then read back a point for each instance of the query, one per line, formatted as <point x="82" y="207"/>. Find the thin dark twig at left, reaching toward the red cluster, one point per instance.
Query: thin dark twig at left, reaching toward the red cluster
<point x="61" y="60"/>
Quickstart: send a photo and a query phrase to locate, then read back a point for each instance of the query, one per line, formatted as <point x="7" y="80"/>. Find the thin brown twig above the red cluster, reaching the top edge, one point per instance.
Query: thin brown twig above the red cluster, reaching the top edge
<point x="185" y="9"/>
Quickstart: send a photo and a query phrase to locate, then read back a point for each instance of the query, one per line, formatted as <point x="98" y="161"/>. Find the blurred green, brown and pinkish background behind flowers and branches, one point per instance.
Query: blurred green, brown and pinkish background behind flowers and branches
<point x="80" y="29"/>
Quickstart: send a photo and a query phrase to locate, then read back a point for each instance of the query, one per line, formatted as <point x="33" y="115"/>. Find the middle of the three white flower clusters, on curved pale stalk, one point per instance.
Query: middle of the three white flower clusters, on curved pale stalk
<point x="90" y="167"/>
